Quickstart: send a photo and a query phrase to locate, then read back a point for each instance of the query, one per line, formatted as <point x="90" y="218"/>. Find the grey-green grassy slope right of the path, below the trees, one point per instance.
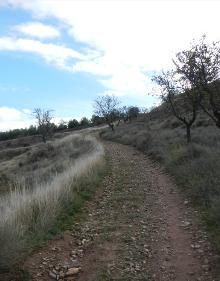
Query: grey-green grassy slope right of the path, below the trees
<point x="195" y="167"/>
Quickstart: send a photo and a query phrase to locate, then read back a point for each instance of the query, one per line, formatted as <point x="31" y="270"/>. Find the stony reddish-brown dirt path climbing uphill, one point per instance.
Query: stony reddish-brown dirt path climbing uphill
<point x="136" y="228"/>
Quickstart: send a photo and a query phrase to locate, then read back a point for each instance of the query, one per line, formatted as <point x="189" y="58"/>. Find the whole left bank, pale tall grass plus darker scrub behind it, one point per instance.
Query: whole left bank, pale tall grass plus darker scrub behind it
<point x="50" y="183"/>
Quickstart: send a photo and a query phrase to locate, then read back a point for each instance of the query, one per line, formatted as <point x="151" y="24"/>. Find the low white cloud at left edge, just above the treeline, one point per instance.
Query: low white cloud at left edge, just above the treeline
<point x="12" y="118"/>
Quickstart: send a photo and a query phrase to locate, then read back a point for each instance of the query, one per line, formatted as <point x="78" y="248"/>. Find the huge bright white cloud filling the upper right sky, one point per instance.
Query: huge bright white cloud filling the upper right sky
<point x="129" y="38"/>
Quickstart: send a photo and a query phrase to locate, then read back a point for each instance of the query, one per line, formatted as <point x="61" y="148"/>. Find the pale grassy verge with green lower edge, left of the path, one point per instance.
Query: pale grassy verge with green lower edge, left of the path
<point x="32" y="215"/>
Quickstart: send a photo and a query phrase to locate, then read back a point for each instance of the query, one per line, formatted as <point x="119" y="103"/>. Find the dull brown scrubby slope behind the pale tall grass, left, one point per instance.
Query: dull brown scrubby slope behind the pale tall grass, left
<point x="37" y="162"/>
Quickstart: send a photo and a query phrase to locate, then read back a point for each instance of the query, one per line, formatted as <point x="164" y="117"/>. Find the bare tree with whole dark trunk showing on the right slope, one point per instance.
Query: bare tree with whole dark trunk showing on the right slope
<point x="182" y="100"/>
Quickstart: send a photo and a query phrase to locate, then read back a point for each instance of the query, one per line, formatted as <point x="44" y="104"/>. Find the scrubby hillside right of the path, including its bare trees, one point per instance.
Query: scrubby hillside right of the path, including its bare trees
<point x="183" y="132"/>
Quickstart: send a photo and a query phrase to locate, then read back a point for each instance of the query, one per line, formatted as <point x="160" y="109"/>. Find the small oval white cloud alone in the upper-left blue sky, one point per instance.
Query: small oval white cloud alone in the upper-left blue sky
<point x="37" y="30"/>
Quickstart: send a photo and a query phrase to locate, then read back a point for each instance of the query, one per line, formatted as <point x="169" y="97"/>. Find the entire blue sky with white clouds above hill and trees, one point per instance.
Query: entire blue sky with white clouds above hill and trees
<point x="63" y="54"/>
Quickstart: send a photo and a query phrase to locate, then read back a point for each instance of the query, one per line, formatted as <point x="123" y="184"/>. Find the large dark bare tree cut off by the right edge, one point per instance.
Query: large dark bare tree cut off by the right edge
<point x="200" y="67"/>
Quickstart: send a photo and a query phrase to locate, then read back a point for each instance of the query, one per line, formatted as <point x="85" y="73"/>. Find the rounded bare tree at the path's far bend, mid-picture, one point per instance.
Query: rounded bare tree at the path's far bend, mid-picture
<point x="106" y="107"/>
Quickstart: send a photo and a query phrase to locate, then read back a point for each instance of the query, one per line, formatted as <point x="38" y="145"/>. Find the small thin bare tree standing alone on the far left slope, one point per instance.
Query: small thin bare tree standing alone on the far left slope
<point x="43" y="118"/>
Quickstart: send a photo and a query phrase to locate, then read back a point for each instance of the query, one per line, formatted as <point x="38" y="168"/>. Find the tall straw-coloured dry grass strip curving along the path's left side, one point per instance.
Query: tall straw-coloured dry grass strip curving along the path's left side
<point x="28" y="213"/>
